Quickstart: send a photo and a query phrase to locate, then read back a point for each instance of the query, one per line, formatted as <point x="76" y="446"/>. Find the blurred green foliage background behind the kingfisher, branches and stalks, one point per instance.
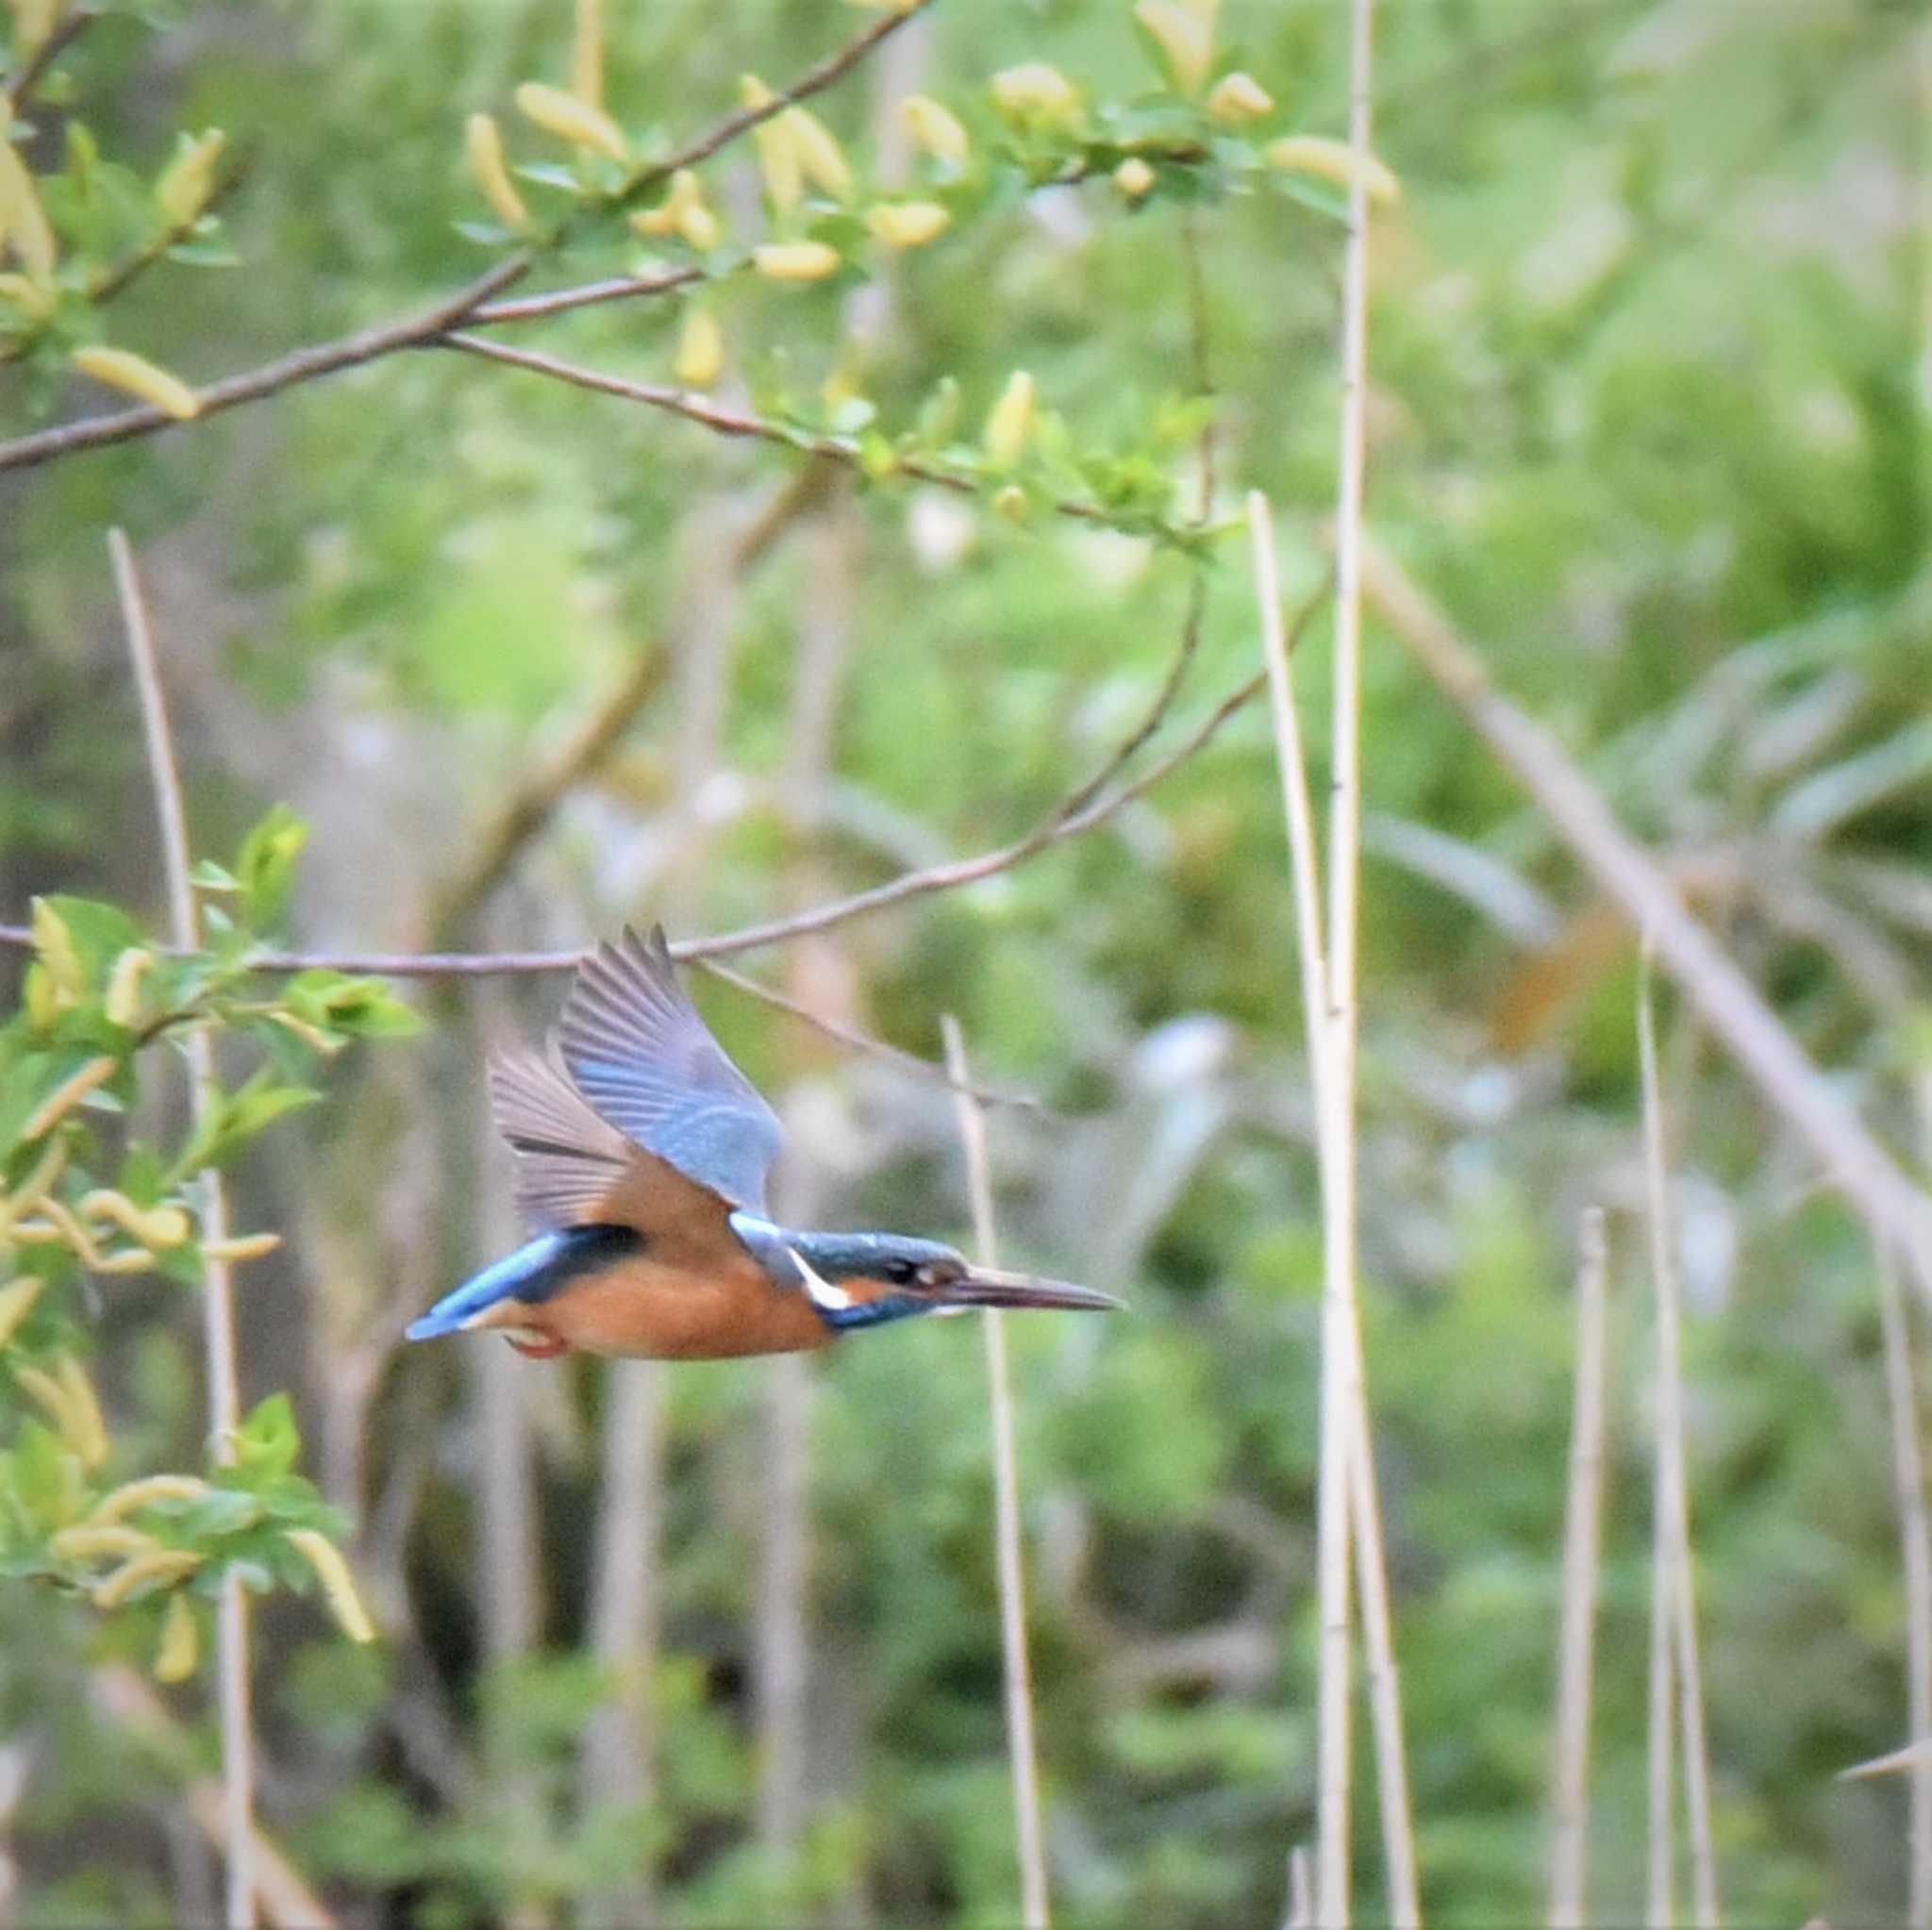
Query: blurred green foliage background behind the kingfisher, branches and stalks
<point x="1647" y="414"/>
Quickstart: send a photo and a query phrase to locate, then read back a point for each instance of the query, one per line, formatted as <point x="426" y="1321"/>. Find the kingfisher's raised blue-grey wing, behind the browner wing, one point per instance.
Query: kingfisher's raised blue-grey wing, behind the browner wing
<point x="642" y="1058"/>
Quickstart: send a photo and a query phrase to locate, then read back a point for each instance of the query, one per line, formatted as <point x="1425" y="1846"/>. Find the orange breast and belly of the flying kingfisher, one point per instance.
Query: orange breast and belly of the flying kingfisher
<point x="668" y="1313"/>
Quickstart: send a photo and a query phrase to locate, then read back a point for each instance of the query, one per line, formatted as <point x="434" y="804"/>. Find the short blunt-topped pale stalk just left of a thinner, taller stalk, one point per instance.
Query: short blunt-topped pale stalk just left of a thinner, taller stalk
<point x="1581" y="1558"/>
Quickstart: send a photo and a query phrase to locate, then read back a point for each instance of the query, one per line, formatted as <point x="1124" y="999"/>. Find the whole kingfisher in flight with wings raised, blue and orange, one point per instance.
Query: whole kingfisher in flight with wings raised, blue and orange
<point x="640" y="1158"/>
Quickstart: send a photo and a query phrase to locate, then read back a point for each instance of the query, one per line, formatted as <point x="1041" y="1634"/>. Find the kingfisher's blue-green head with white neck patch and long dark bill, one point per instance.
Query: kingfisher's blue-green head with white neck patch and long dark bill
<point x="865" y="1278"/>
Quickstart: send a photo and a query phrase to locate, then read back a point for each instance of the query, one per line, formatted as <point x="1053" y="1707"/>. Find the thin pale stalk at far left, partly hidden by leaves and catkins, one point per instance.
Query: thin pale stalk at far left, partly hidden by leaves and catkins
<point x="217" y="1284"/>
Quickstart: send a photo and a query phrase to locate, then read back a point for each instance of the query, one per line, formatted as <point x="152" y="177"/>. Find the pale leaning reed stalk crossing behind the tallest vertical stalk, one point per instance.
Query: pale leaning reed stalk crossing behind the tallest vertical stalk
<point x="1357" y="1467"/>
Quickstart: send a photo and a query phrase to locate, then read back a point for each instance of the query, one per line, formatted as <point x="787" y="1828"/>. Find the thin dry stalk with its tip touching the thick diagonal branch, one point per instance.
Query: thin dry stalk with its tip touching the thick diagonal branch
<point x="1674" y="1504"/>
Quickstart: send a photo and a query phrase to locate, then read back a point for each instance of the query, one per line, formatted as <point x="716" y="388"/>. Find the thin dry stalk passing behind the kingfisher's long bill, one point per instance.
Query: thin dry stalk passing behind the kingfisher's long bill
<point x="1006" y="1508"/>
